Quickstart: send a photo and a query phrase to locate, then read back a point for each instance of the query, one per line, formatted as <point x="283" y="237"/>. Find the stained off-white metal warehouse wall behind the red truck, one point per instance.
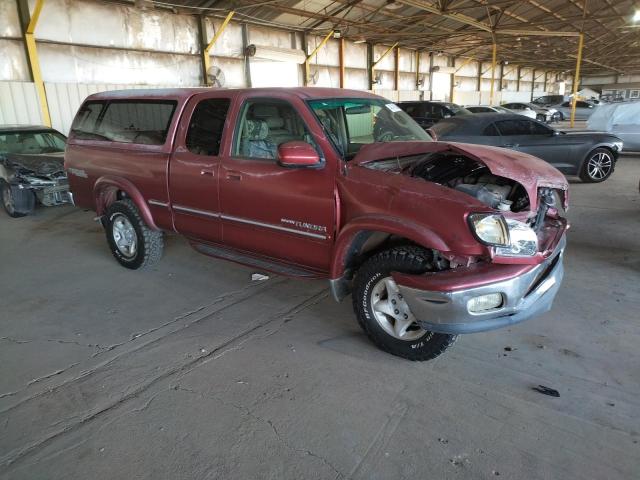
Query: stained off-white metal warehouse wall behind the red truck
<point x="128" y="47"/>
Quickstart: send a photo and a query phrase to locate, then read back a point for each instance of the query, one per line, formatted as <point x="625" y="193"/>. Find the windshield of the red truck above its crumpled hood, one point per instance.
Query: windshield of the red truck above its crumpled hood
<point x="351" y="123"/>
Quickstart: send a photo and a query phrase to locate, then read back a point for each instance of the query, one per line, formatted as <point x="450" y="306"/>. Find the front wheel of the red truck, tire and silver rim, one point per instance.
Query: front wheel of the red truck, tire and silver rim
<point x="385" y="316"/>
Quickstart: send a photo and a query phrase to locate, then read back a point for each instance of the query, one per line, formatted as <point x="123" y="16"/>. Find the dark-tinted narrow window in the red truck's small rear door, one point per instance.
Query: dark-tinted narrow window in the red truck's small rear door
<point x="206" y="126"/>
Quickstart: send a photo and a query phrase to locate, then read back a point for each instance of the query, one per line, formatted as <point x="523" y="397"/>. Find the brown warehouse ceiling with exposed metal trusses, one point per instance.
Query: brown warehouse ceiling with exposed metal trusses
<point x="537" y="33"/>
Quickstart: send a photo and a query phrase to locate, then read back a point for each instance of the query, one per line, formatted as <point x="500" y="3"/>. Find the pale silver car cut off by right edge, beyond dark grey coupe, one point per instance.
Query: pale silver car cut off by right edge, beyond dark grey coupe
<point x="621" y="120"/>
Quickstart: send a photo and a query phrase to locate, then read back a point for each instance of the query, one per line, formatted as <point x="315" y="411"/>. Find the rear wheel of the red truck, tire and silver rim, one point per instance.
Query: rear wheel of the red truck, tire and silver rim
<point x="132" y="242"/>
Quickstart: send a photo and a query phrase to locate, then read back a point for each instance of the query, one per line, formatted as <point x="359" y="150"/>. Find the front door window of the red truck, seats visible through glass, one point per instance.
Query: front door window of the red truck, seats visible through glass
<point x="264" y="125"/>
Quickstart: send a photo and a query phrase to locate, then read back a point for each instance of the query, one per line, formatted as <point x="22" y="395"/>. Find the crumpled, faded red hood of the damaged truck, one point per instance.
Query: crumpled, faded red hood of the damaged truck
<point x="531" y="172"/>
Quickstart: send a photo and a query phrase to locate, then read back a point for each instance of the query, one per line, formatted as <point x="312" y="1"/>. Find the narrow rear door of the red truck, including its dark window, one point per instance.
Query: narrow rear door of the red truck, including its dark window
<point x="194" y="169"/>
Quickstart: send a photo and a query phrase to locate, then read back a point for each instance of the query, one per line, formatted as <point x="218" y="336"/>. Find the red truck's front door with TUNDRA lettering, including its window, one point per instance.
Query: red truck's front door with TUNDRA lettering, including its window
<point x="283" y="213"/>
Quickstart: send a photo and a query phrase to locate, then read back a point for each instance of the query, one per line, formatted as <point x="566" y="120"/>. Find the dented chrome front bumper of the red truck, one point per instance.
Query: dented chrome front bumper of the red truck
<point x="524" y="296"/>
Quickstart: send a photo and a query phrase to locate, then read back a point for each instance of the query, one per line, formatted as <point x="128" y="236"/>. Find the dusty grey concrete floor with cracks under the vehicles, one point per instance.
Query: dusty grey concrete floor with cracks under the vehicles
<point x="192" y="371"/>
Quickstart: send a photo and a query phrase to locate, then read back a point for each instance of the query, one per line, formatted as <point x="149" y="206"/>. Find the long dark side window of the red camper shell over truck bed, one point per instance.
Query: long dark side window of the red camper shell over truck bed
<point x="126" y="121"/>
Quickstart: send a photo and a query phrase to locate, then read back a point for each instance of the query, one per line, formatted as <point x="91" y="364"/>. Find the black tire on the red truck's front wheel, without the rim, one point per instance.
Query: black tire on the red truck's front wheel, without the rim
<point x="408" y="259"/>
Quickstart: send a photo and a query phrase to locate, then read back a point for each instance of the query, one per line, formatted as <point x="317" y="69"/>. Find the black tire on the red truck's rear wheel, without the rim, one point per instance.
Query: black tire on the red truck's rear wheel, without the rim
<point x="150" y="243"/>
